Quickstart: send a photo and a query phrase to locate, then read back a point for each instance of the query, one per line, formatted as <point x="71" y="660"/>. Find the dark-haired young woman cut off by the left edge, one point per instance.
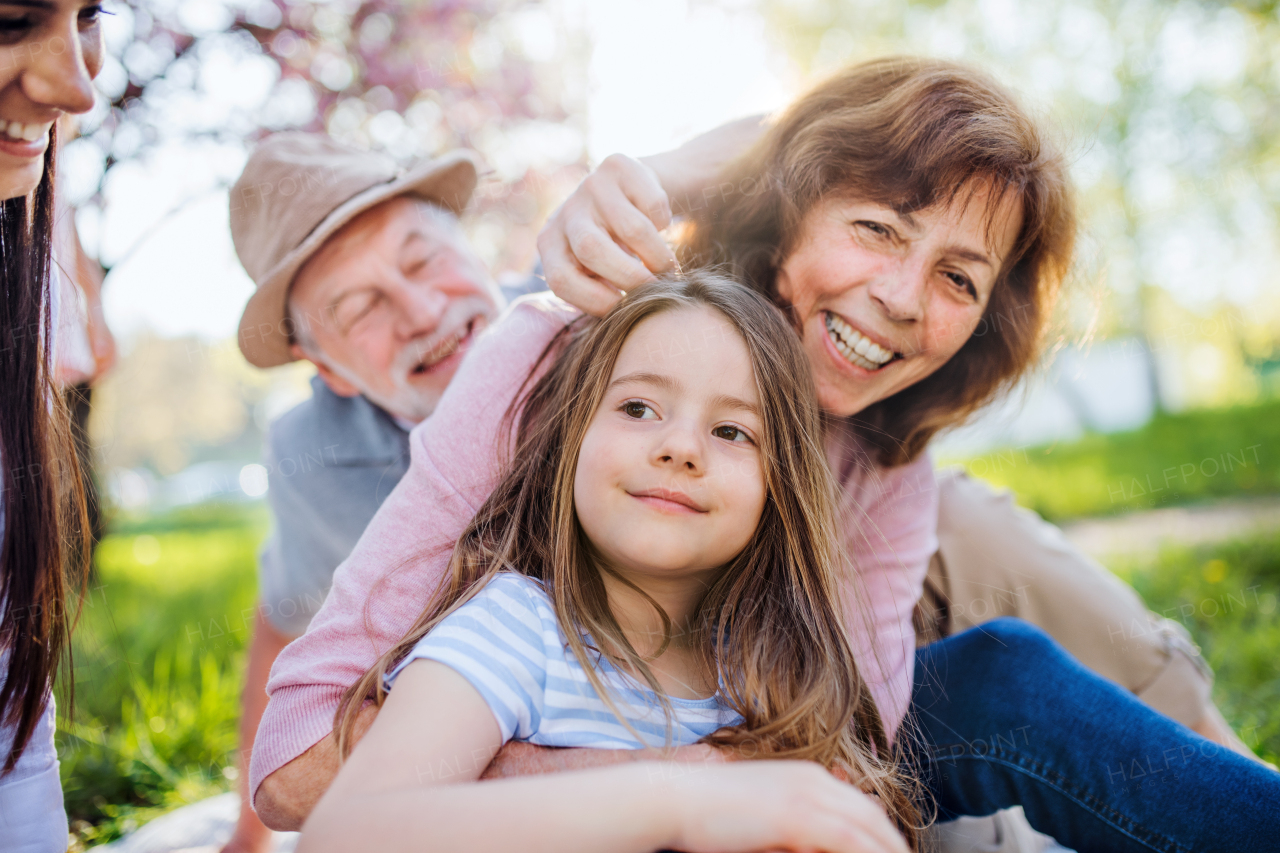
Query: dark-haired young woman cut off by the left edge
<point x="49" y="54"/>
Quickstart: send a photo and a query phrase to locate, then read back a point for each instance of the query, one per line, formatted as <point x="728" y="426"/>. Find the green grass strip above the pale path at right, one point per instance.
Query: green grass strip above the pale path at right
<point x="1176" y="459"/>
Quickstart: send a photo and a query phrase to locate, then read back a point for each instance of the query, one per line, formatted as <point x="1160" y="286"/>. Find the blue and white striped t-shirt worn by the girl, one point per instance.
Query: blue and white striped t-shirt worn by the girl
<point x="509" y="645"/>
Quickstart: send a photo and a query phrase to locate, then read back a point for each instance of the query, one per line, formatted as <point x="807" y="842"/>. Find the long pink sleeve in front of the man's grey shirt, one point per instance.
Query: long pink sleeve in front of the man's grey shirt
<point x="382" y="589"/>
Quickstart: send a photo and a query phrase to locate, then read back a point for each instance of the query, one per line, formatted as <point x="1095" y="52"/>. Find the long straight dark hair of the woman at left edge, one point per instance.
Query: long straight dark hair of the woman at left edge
<point x="44" y="551"/>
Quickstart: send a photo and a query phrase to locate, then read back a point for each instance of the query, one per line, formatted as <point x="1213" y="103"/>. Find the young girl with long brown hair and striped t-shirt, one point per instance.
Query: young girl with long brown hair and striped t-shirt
<point x="657" y="568"/>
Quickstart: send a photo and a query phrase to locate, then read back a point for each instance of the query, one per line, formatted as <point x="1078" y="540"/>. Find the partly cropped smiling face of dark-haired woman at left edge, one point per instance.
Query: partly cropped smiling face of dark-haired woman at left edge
<point x="49" y="54"/>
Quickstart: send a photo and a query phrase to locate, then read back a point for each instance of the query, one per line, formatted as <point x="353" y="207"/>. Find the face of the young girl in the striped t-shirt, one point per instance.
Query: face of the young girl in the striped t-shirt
<point x="669" y="478"/>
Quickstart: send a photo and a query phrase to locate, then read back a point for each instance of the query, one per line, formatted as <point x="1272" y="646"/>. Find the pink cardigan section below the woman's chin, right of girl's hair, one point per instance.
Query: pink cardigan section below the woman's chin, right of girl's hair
<point x="890" y="517"/>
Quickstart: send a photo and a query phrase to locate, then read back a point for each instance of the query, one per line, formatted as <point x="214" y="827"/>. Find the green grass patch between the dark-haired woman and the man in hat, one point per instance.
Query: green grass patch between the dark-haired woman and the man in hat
<point x="159" y="663"/>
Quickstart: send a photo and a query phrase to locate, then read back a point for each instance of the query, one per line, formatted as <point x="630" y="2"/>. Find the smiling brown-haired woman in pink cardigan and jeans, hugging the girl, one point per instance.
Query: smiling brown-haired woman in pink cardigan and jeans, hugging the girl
<point x="892" y="211"/>
